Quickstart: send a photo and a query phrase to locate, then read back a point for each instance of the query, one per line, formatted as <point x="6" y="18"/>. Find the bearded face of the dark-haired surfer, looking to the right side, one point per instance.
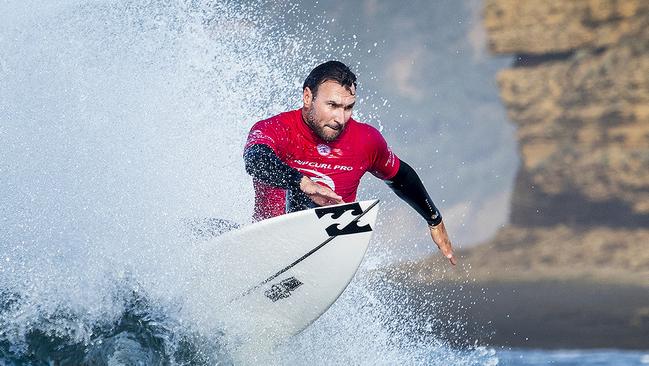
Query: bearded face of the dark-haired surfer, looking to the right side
<point x="328" y="113"/>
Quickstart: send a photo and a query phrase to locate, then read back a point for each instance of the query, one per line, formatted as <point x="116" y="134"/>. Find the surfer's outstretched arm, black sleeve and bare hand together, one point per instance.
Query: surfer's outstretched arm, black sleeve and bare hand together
<point x="408" y="186"/>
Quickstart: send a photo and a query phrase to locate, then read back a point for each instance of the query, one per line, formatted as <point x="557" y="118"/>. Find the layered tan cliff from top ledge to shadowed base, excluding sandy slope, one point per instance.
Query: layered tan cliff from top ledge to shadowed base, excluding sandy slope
<point x="582" y="116"/>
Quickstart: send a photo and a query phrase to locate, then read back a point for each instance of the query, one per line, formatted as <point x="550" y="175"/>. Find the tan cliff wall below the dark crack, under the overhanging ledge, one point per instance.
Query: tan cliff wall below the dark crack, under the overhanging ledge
<point x="584" y="131"/>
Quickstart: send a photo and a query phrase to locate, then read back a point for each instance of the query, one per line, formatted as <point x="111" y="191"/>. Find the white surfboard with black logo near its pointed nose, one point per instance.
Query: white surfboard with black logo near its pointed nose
<point x="281" y="274"/>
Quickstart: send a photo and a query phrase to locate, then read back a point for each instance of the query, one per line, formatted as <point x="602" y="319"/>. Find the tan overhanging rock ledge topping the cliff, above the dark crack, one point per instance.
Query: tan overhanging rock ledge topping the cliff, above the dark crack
<point x="551" y="27"/>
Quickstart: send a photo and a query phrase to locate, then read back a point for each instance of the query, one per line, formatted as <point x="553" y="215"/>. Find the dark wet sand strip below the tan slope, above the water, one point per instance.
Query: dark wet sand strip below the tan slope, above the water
<point x="542" y="314"/>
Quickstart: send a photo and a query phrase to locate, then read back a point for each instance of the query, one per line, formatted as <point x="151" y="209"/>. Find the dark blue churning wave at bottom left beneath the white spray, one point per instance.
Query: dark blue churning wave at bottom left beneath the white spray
<point x="142" y="333"/>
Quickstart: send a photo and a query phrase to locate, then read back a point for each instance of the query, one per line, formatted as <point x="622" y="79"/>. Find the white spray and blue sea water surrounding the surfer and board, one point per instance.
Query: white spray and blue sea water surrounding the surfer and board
<point x="121" y="119"/>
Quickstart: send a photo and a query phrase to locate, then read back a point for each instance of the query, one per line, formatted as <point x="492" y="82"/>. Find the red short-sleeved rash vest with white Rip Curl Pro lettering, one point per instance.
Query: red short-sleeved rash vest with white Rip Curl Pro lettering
<point x="339" y="164"/>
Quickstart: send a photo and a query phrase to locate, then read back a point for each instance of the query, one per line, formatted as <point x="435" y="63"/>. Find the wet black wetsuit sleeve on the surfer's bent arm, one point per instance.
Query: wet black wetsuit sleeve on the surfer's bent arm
<point x="263" y="164"/>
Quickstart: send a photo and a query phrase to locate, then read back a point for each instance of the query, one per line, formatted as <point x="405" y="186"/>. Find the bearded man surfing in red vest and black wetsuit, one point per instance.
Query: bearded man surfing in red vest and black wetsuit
<point x="316" y="155"/>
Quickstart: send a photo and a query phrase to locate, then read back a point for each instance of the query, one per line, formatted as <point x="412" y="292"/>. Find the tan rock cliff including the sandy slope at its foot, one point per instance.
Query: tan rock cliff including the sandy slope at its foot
<point x="579" y="95"/>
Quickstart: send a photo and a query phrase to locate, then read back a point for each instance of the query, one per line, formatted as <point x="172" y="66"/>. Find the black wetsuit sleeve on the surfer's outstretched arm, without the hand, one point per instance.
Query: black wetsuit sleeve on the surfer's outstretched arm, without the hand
<point x="407" y="185"/>
